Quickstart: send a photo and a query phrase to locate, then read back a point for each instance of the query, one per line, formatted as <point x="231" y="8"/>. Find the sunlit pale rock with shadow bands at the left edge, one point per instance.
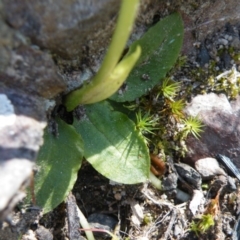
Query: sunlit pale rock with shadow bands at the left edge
<point x="22" y="121"/>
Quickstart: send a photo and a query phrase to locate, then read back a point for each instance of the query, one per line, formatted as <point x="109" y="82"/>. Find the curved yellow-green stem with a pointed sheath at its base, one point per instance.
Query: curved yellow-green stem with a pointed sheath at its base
<point x="93" y="92"/>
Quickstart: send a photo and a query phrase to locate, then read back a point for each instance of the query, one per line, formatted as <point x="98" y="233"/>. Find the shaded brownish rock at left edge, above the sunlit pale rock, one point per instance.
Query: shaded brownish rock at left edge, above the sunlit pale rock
<point x="26" y="67"/>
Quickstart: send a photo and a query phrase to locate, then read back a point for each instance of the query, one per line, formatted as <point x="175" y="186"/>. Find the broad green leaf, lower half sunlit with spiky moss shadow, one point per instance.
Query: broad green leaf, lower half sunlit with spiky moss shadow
<point x="113" y="145"/>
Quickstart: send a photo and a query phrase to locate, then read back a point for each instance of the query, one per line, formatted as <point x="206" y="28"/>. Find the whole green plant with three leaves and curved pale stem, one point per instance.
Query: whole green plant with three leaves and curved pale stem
<point x="105" y="136"/>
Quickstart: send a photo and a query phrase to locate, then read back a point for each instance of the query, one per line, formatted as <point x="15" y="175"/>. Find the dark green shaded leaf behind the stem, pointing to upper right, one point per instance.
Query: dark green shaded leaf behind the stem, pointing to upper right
<point x="160" y="46"/>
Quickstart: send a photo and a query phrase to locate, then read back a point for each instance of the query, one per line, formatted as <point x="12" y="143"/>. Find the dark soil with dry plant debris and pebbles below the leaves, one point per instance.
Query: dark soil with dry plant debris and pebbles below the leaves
<point x="164" y="216"/>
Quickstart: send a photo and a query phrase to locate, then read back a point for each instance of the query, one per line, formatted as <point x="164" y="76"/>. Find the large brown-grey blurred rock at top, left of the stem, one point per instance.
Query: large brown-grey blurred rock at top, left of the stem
<point x="63" y="26"/>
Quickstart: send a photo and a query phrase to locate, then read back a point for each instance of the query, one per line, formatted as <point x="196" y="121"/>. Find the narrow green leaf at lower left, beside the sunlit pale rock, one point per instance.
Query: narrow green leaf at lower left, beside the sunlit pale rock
<point x="58" y="161"/>
